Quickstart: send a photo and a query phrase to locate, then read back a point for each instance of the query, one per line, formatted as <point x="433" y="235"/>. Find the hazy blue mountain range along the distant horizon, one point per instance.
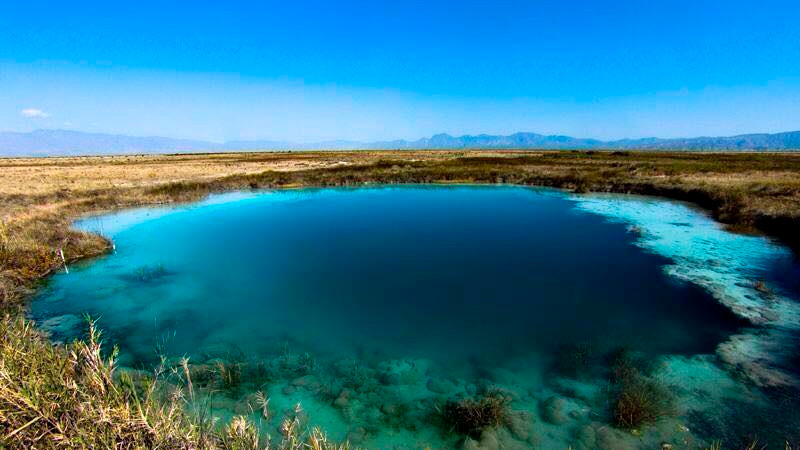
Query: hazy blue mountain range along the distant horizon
<point x="70" y="143"/>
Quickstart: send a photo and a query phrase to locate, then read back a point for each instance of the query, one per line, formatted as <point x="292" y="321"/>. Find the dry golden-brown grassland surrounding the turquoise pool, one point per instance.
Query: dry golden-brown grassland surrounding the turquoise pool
<point x="40" y="197"/>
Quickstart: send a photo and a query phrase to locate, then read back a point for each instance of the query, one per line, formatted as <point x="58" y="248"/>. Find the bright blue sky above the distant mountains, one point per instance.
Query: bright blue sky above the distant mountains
<point x="308" y="71"/>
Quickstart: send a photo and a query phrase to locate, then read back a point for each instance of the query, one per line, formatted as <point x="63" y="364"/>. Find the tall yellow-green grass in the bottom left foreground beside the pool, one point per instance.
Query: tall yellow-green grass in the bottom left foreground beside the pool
<point x="73" y="396"/>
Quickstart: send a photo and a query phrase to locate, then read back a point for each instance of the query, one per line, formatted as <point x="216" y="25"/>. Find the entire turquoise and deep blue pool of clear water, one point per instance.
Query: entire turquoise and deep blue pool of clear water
<point x="373" y="306"/>
